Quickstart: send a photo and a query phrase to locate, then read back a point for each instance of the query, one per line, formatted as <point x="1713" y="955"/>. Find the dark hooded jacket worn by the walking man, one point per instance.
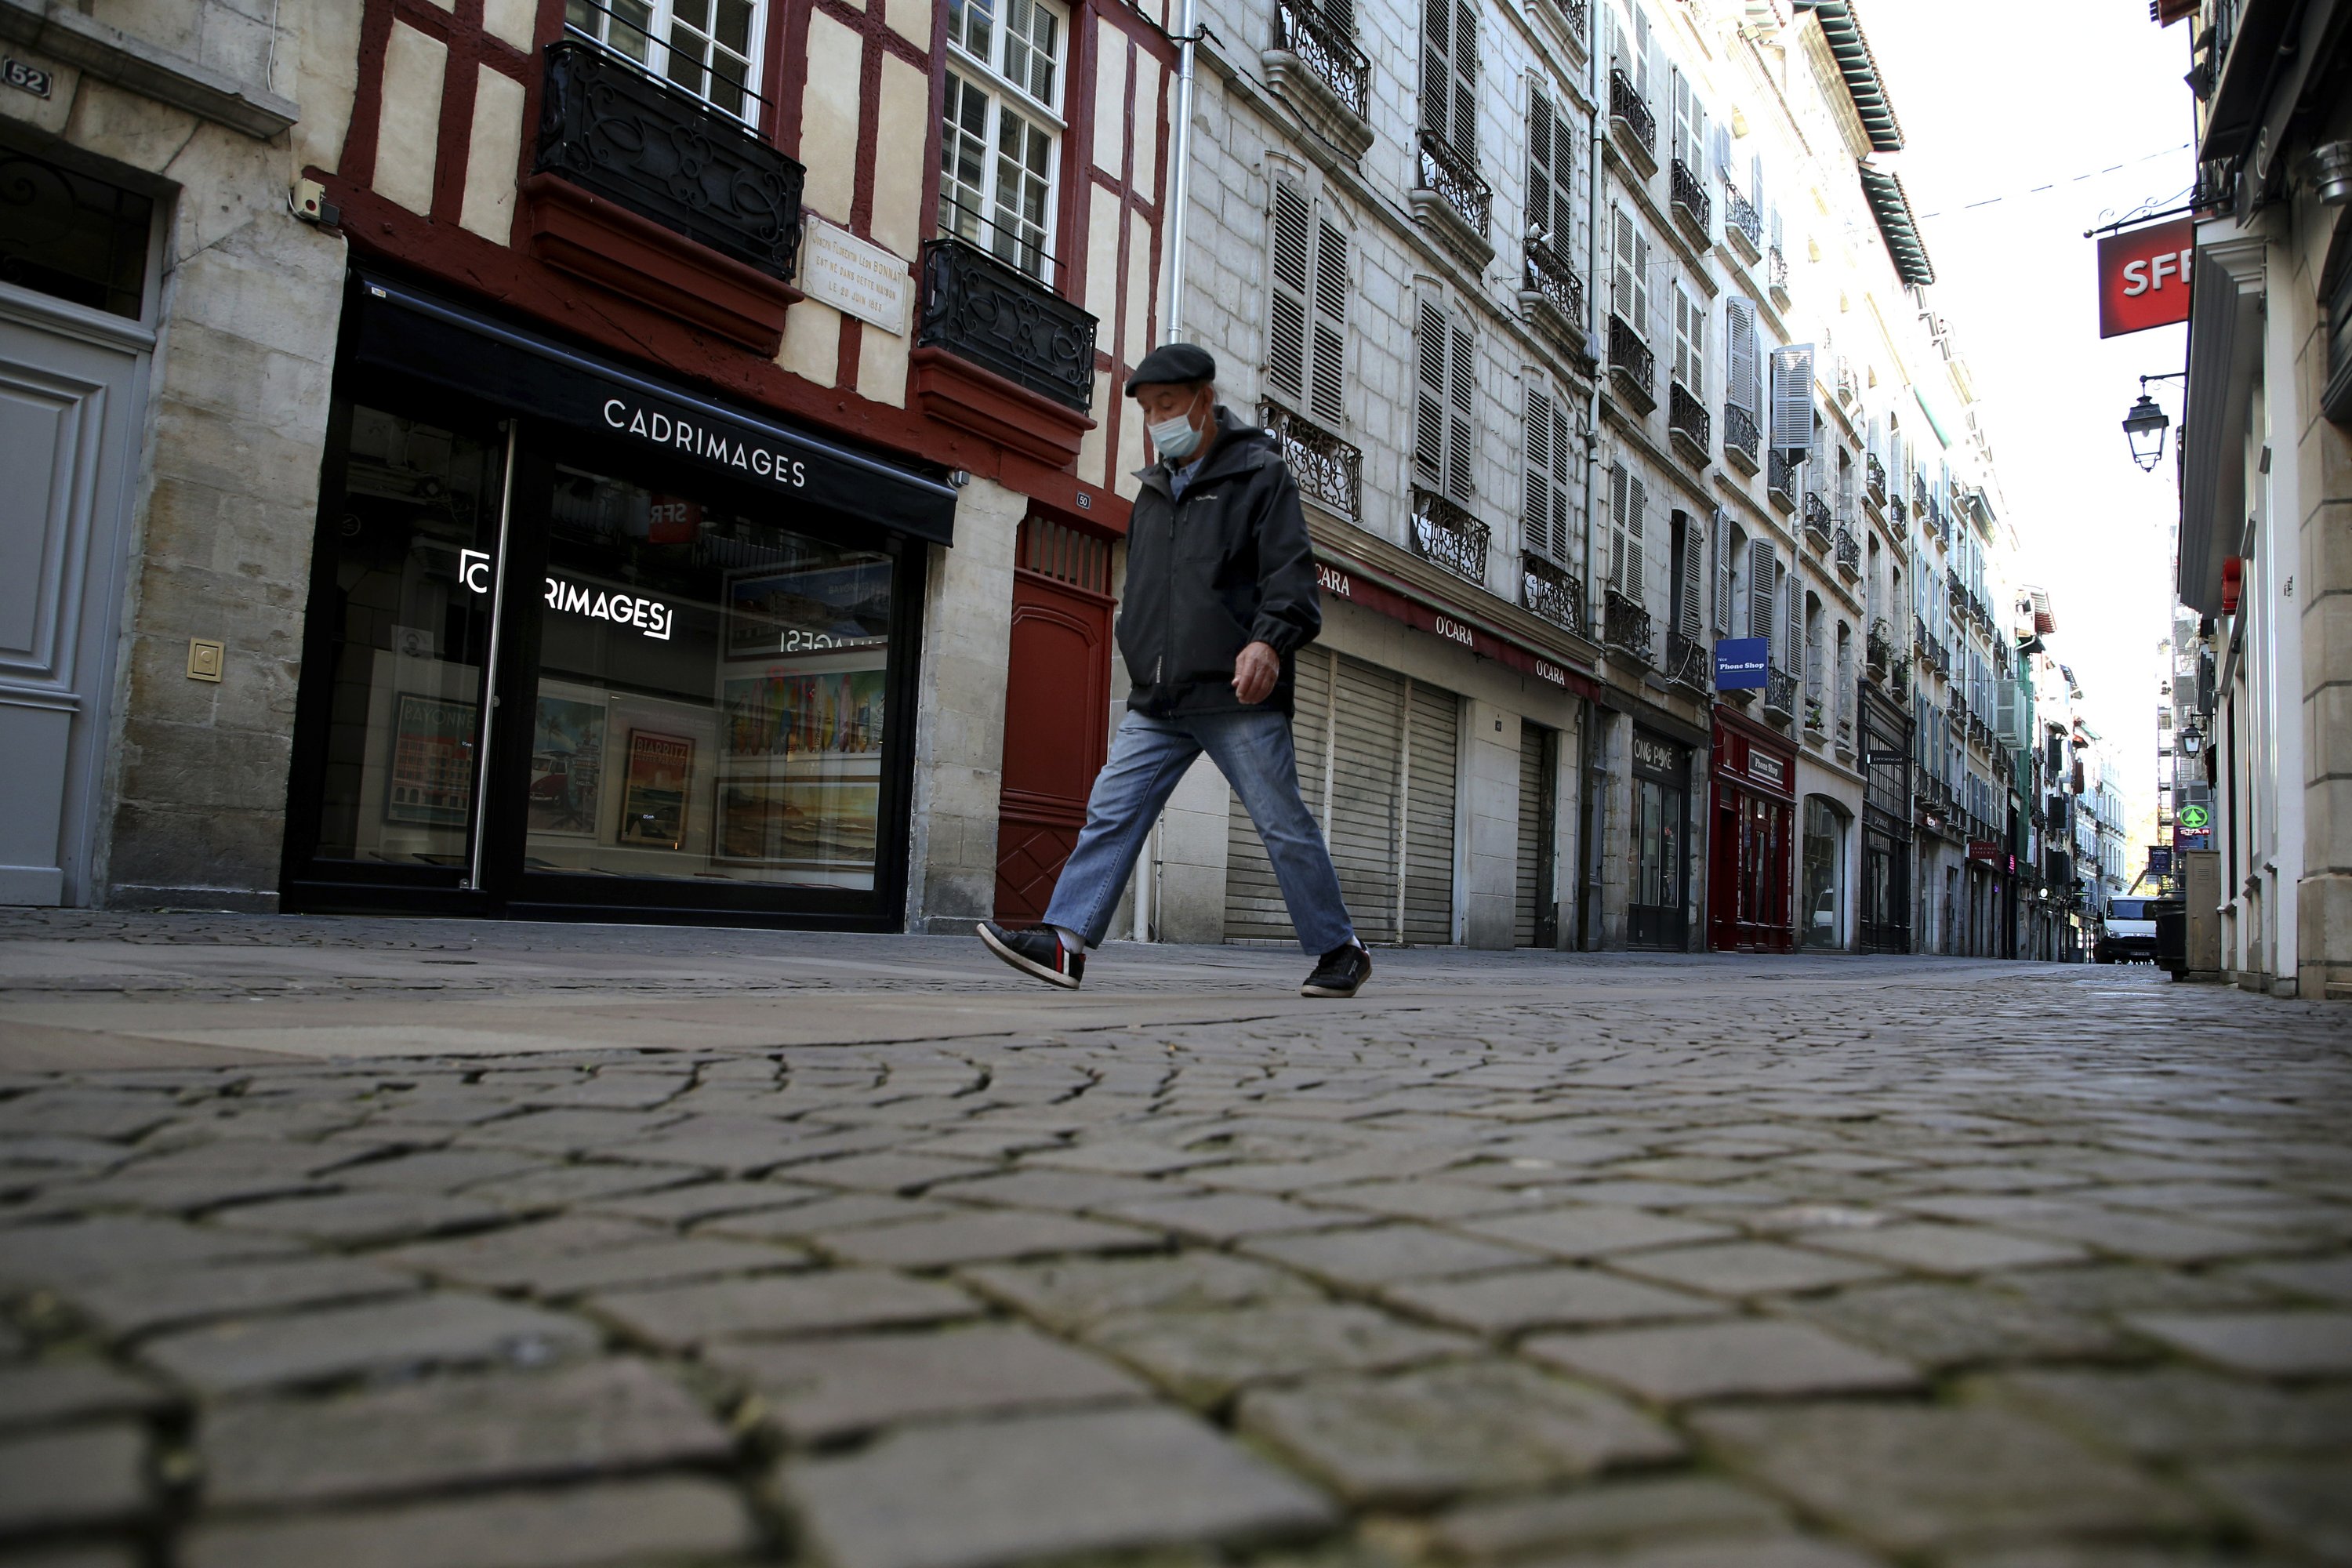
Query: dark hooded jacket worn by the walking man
<point x="1215" y="572"/>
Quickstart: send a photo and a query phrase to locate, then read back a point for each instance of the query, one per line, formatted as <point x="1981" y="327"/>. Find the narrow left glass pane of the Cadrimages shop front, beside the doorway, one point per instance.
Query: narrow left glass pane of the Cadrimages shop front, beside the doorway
<point x="413" y="570"/>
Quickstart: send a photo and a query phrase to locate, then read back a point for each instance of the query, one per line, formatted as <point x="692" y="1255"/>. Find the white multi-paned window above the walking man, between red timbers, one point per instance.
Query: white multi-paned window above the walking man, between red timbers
<point x="1001" y="130"/>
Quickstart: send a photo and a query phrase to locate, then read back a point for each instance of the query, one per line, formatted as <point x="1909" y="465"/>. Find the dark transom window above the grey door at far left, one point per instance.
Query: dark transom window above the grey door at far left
<point x="72" y="236"/>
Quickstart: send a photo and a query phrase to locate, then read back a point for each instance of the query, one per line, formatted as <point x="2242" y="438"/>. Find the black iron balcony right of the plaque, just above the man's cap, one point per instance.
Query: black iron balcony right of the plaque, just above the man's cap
<point x="1005" y="321"/>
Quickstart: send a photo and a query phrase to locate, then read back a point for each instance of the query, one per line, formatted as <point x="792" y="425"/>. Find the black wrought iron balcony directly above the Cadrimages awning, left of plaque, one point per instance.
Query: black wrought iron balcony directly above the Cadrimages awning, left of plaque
<point x="669" y="156"/>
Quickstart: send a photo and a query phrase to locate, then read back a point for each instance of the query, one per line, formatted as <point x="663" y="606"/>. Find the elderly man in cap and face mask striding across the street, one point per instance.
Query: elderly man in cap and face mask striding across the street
<point x="1220" y="598"/>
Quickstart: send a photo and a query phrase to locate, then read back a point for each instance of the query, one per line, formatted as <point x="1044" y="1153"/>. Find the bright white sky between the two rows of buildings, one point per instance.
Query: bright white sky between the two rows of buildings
<point x="1998" y="100"/>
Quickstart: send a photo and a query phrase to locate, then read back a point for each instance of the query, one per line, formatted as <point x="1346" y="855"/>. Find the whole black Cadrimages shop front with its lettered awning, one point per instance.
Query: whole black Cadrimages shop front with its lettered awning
<point x="695" y="631"/>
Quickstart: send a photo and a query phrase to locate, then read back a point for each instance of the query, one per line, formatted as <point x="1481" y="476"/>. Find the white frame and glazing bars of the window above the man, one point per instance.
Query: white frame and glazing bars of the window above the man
<point x="987" y="74"/>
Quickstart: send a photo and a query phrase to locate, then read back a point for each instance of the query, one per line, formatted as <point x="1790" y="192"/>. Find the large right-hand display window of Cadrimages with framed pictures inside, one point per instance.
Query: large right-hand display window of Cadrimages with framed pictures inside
<point x="711" y="695"/>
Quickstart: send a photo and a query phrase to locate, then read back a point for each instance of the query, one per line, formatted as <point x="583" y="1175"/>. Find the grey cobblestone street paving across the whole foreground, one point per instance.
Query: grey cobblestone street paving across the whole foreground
<point x="462" y="1245"/>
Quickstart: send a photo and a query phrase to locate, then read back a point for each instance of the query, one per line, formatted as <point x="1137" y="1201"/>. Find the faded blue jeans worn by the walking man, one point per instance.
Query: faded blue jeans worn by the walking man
<point x="1147" y="760"/>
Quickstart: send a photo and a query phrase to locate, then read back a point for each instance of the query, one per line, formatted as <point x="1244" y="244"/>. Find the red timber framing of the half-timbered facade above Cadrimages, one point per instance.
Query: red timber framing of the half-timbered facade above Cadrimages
<point x="667" y="302"/>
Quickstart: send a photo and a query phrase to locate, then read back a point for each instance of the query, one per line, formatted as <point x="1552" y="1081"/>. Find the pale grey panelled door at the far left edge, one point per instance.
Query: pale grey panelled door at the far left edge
<point x="69" y="422"/>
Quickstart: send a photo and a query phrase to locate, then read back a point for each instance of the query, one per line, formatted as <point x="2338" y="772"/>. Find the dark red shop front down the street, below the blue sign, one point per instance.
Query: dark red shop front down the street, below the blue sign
<point x="1753" y="847"/>
